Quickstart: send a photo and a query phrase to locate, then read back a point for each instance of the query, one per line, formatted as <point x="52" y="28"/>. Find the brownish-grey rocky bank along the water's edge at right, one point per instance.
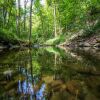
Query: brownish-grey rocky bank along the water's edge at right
<point x="92" y="41"/>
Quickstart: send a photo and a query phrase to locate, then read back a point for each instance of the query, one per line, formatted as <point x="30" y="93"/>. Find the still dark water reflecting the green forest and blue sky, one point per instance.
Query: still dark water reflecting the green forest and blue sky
<point x="50" y="74"/>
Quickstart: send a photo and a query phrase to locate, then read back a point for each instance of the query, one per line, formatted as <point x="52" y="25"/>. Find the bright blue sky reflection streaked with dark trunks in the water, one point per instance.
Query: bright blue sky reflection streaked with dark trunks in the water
<point x="27" y="88"/>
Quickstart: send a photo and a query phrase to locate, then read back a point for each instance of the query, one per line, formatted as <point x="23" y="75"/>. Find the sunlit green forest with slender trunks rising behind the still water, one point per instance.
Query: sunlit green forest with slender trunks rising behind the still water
<point x="48" y="22"/>
